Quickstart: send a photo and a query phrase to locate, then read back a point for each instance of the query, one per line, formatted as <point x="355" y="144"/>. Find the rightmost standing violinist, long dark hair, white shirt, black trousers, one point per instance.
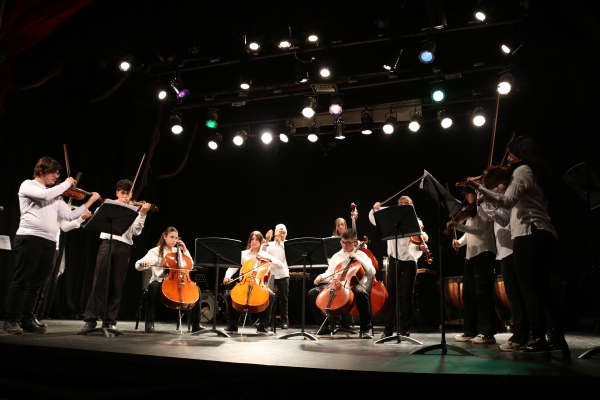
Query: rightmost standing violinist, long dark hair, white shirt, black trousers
<point x="534" y="238"/>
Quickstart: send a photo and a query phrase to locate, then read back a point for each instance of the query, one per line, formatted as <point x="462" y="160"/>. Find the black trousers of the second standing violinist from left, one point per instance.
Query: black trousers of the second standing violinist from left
<point x="119" y="262"/>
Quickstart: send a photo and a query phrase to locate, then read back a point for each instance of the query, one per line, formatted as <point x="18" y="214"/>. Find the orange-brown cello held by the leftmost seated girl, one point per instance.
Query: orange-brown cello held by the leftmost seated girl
<point x="178" y="291"/>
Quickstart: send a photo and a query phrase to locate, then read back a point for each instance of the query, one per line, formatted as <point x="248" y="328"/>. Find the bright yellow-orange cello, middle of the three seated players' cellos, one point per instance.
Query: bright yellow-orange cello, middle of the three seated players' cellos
<point x="251" y="293"/>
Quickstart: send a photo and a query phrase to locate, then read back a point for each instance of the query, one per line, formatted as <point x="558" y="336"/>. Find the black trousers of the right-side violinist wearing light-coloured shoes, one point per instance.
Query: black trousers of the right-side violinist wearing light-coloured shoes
<point x="478" y="287"/>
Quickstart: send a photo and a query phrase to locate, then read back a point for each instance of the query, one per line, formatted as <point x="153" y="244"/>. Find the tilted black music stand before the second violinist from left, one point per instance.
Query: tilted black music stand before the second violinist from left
<point x="116" y="218"/>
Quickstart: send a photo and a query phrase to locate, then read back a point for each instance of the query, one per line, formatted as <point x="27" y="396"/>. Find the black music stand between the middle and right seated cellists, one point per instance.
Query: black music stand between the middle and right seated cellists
<point x="300" y="252"/>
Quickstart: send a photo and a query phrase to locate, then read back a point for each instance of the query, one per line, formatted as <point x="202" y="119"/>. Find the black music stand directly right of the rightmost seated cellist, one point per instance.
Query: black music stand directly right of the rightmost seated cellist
<point x="394" y="222"/>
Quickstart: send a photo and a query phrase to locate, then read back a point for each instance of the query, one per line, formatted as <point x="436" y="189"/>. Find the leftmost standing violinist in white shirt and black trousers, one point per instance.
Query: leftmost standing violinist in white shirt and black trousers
<point x="35" y="242"/>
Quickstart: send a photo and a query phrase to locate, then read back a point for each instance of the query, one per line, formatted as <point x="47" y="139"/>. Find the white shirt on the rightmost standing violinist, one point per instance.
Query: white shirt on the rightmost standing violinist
<point x="526" y="202"/>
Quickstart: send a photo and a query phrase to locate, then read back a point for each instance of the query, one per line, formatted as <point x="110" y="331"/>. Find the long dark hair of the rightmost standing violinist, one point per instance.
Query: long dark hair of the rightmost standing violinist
<point x="525" y="149"/>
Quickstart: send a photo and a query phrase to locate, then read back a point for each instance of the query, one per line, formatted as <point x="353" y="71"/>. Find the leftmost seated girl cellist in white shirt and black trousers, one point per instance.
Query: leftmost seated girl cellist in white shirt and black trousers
<point x="168" y="242"/>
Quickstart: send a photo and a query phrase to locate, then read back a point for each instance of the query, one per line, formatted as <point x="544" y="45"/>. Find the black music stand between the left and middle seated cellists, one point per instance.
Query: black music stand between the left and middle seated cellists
<point x="214" y="253"/>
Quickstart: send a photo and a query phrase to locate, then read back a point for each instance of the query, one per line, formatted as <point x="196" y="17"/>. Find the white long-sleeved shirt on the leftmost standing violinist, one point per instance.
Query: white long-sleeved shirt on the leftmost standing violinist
<point x="40" y="207"/>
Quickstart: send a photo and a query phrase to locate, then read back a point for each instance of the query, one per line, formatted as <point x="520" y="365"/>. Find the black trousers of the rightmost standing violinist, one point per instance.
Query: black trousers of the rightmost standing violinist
<point x="533" y="257"/>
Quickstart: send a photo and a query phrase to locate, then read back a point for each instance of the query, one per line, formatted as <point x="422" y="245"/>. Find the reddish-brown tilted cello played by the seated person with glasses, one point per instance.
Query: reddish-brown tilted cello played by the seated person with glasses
<point x="337" y="298"/>
